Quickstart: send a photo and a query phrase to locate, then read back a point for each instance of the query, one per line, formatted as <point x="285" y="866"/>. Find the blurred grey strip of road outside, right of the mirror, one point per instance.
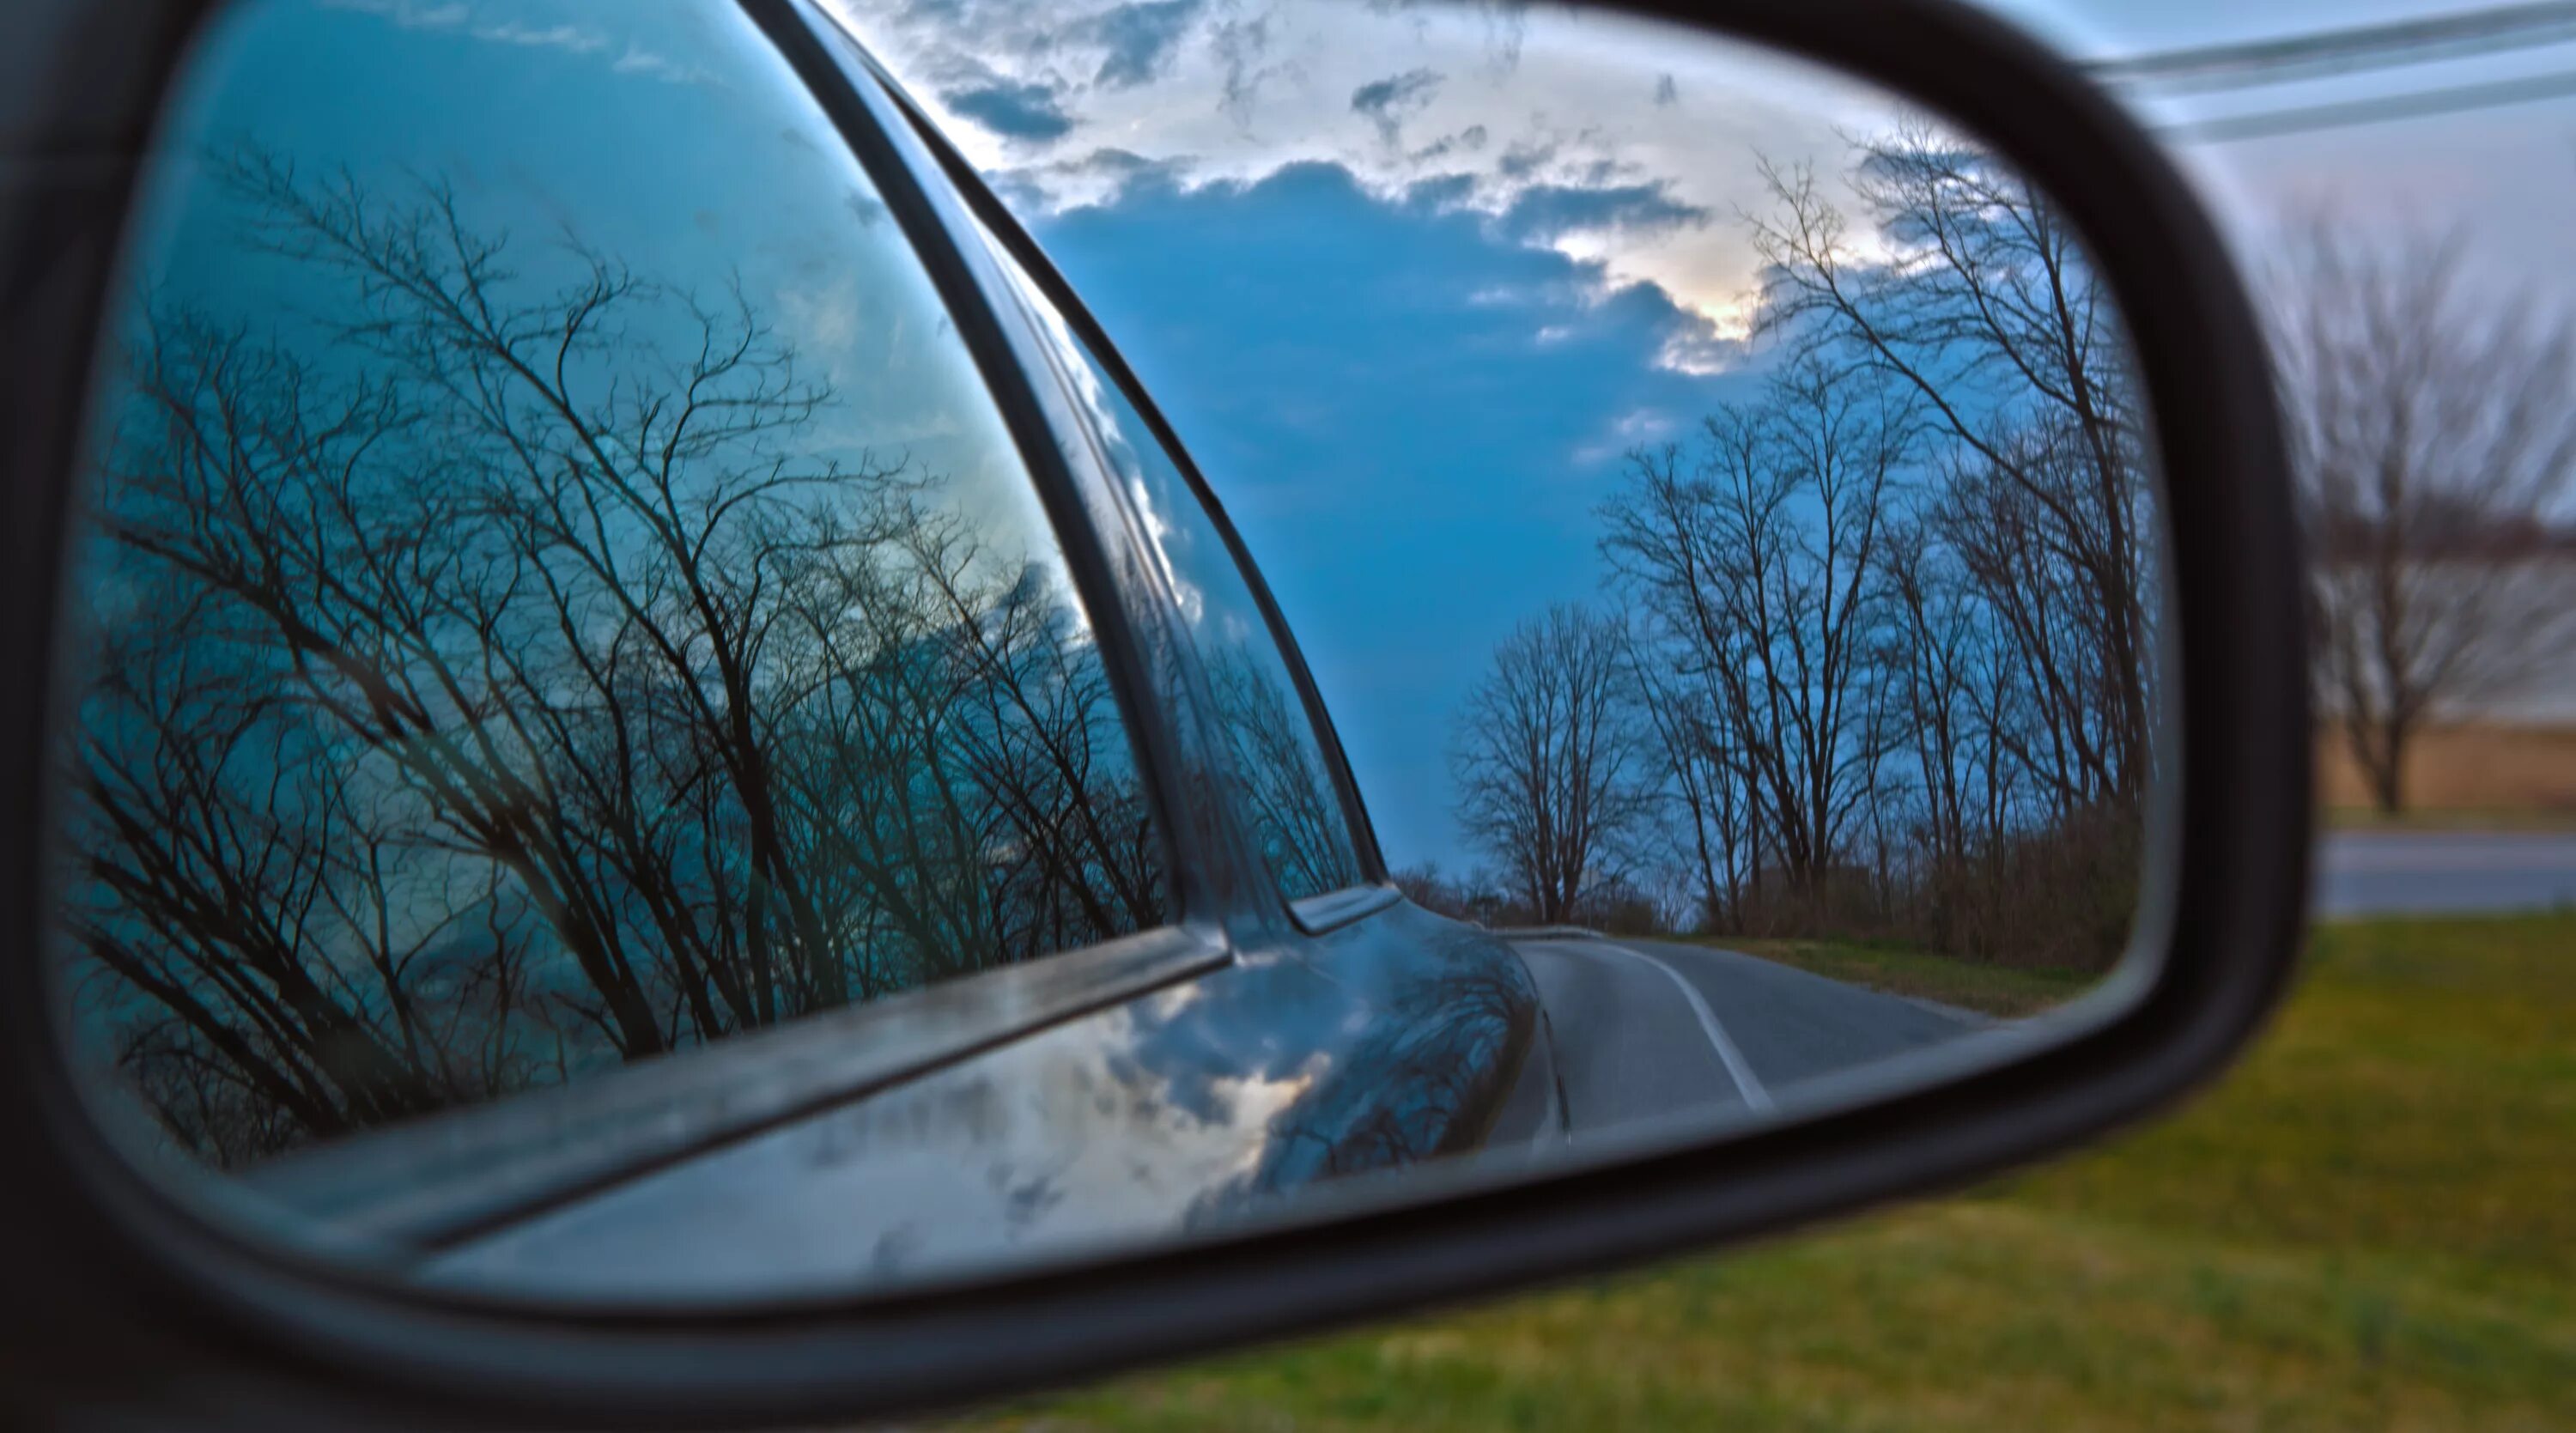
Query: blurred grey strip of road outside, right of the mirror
<point x="2366" y="872"/>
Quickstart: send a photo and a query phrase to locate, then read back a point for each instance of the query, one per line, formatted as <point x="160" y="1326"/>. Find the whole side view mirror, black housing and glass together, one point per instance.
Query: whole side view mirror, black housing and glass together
<point x="650" y="790"/>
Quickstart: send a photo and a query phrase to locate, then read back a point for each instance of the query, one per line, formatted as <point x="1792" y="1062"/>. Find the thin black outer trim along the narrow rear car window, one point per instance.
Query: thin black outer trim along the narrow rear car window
<point x="1006" y="228"/>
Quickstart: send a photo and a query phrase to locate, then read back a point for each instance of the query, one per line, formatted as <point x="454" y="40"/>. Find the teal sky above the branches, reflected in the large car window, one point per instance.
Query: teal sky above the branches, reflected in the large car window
<point x="620" y="130"/>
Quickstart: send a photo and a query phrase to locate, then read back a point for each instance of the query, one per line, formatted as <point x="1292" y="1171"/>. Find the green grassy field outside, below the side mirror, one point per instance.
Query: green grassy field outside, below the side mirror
<point x="2369" y="1226"/>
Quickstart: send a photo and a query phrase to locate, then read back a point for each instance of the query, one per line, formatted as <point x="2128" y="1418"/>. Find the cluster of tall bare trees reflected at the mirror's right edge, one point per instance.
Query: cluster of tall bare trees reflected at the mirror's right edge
<point x="1897" y="610"/>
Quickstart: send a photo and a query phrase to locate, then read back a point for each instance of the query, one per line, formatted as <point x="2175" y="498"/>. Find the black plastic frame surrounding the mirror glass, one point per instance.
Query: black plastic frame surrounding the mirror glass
<point x="112" y="1305"/>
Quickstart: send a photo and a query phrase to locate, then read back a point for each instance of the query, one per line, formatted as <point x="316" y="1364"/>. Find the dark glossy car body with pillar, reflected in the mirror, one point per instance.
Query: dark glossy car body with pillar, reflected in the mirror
<point x="1153" y="1084"/>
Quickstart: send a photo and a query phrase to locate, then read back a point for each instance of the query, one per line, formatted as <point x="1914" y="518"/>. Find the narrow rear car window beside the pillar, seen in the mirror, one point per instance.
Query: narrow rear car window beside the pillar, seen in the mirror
<point x="1274" y="754"/>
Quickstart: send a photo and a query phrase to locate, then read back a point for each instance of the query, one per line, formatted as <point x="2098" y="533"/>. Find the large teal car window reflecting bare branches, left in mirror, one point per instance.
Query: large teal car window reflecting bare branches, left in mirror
<point x="553" y="591"/>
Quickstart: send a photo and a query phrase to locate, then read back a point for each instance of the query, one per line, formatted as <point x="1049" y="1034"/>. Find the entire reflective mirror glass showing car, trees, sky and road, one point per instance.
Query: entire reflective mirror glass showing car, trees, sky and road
<point x="656" y="715"/>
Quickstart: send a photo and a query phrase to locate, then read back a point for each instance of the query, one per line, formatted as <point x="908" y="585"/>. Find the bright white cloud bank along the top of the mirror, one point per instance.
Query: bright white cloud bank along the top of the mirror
<point x="1498" y="102"/>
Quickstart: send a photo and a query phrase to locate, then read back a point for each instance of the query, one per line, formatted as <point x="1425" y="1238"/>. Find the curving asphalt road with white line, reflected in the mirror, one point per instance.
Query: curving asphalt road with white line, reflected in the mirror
<point x="1647" y="1030"/>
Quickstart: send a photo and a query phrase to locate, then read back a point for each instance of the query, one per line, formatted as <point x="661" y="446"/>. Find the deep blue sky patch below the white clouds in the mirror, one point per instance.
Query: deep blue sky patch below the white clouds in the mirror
<point x="1410" y="414"/>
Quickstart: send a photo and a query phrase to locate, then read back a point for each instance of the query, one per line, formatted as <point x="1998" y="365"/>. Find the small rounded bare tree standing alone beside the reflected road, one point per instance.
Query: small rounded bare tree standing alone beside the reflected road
<point x="1552" y="774"/>
